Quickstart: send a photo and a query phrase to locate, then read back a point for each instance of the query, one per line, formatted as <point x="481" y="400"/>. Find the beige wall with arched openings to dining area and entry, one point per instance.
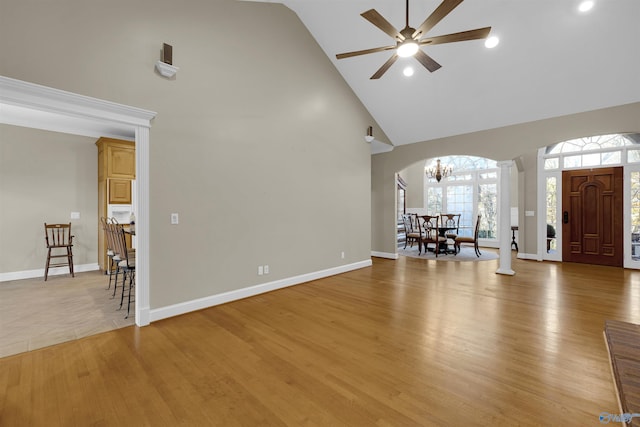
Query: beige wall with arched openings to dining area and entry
<point x="500" y="144"/>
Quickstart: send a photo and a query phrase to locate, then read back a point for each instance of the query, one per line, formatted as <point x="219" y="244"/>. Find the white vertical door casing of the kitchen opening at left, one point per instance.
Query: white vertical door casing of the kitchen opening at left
<point x="142" y="226"/>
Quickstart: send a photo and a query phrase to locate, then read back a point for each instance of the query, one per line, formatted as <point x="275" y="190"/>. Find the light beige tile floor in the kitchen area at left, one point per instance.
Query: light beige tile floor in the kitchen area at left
<point x="36" y="314"/>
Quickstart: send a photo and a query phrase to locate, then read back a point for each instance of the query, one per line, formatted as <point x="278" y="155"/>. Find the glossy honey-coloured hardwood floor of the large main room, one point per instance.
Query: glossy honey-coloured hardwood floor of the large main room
<point x="406" y="342"/>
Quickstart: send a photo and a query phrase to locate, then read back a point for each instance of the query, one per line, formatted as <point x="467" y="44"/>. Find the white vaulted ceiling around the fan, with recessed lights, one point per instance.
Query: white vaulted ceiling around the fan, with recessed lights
<point x="552" y="60"/>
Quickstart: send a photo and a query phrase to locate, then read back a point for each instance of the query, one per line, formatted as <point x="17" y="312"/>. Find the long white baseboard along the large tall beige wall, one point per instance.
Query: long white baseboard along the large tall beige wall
<point x="210" y="301"/>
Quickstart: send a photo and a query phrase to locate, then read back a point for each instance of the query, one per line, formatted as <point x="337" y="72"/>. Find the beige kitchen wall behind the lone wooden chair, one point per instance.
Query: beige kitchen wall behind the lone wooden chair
<point x="44" y="176"/>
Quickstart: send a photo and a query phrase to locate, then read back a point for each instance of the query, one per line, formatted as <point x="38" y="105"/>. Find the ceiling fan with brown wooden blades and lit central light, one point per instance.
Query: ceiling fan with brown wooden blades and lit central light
<point x="409" y="40"/>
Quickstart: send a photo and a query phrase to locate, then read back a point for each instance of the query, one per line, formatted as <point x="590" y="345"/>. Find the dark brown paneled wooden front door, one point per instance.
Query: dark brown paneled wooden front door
<point x="592" y="225"/>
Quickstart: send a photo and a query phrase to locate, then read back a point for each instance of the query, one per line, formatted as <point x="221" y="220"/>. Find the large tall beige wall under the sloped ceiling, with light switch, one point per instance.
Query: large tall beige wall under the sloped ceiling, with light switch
<point x="257" y="144"/>
